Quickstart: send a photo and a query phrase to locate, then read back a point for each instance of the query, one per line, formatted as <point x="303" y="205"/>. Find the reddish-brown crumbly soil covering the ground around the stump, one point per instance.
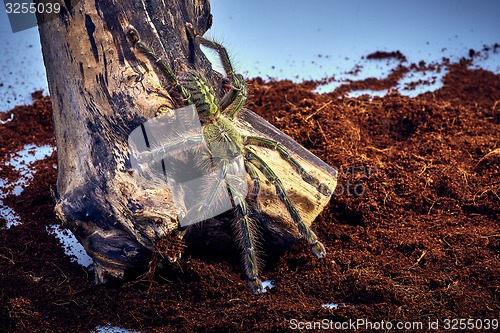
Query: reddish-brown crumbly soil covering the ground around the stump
<point x="412" y="231"/>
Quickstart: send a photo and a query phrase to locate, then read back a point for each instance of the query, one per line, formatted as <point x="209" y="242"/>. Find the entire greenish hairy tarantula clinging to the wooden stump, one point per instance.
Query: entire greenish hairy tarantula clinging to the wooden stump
<point x="216" y="117"/>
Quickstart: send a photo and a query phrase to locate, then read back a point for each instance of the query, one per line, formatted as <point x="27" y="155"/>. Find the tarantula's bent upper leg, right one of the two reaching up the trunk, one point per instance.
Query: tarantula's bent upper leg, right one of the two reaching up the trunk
<point x="235" y="98"/>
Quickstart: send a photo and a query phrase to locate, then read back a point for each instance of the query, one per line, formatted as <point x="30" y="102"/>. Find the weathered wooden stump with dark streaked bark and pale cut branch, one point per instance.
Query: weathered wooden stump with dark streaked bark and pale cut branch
<point x="101" y="90"/>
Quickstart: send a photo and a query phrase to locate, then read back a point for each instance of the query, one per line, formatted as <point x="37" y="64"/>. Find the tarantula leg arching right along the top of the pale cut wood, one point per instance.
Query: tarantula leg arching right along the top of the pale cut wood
<point x="307" y="177"/>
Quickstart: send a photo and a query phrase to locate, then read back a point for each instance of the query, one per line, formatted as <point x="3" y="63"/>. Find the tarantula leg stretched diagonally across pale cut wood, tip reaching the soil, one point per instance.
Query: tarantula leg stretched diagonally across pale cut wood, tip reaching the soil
<point x="316" y="246"/>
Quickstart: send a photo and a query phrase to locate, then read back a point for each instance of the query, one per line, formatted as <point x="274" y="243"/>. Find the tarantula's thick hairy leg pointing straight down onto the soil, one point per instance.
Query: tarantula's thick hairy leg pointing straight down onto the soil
<point x="246" y="233"/>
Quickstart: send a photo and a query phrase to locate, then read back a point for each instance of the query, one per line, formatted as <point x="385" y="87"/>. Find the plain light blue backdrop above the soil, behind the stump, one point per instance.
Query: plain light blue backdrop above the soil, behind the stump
<point x="300" y="39"/>
